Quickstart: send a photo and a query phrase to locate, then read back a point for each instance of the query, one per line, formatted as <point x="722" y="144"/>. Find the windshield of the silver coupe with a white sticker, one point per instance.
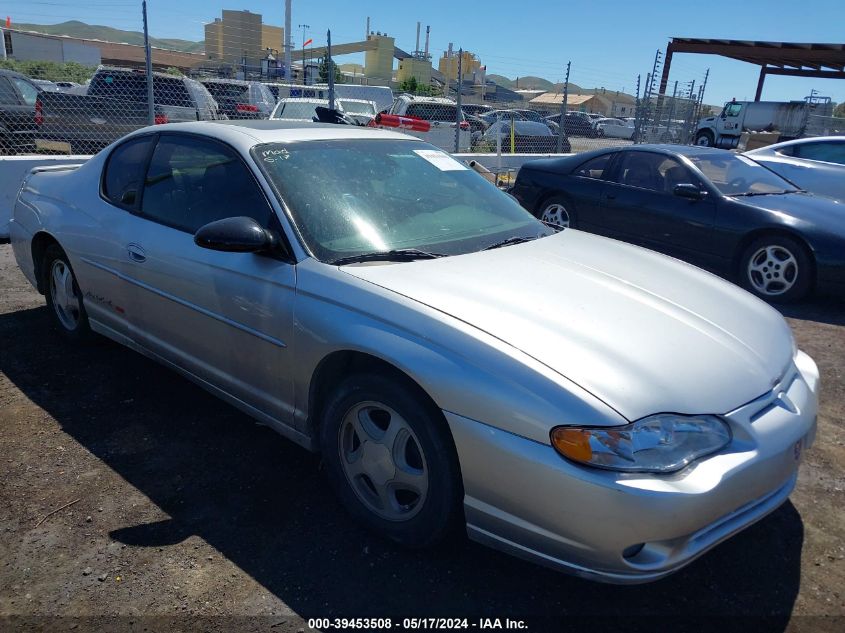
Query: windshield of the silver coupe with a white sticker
<point x="355" y="197"/>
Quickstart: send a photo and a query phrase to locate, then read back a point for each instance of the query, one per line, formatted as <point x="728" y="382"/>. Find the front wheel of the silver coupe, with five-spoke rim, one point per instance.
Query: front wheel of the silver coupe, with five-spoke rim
<point x="391" y="460"/>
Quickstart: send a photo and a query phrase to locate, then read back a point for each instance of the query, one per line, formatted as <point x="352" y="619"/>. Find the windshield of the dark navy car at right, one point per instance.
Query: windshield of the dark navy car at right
<point x="735" y="175"/>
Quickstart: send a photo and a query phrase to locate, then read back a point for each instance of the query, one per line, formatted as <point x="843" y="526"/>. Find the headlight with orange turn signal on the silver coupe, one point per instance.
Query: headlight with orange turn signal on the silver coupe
<point x="659" y="444"/>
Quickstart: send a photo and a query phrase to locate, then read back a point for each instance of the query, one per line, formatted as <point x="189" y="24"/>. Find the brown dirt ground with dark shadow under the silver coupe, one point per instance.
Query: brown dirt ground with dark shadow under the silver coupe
<point x="185" y="508"/>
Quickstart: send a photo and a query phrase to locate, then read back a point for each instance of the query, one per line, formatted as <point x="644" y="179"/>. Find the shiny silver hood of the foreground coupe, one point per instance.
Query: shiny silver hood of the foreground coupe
<point x="643" y="332"/>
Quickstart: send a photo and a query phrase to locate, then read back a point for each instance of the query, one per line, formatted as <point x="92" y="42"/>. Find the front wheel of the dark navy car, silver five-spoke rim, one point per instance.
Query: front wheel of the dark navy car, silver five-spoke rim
<point x="777" y="268"/>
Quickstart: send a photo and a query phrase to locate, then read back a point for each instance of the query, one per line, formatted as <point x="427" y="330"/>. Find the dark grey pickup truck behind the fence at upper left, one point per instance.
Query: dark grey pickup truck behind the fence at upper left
<point x="114" y="104"/>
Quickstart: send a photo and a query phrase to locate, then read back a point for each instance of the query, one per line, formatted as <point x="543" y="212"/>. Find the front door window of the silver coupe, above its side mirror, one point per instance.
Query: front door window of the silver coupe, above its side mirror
<point x="192" y="182"/>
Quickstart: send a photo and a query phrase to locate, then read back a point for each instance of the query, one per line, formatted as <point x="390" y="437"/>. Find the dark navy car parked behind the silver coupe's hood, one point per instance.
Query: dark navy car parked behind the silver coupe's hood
<point x="711" y="207"/>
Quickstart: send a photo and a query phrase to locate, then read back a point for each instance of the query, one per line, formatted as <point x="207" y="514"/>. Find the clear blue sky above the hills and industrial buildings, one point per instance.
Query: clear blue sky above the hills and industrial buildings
<point x="609" y="43"/>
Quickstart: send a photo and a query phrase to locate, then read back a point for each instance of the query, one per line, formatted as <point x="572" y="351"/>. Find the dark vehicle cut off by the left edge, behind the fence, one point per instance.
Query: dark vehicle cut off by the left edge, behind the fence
<point x="18" y="95"/>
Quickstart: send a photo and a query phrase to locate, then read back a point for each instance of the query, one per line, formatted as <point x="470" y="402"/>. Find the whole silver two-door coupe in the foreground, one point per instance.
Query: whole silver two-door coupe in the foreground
<point x="459" y="364"/>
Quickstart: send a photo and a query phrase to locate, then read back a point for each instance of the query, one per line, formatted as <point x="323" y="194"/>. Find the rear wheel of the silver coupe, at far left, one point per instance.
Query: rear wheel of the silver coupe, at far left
<point x="64" y="298"/>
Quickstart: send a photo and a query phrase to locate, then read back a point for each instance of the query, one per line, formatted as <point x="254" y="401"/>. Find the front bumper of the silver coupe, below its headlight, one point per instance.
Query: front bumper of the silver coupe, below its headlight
<point x="523" y="498"/>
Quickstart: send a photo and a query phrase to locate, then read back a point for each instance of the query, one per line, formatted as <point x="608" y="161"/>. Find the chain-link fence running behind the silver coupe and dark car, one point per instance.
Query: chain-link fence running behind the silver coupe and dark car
<point x="87" y="109"/>
